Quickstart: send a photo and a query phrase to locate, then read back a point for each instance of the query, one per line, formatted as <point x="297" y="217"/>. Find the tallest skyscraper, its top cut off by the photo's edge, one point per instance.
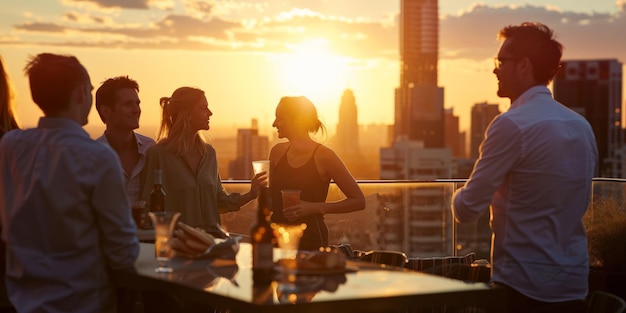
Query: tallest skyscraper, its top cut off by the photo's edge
<point x="418" y="99"/>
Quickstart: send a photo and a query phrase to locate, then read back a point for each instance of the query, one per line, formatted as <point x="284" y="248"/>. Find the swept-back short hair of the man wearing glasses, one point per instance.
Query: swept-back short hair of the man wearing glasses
<point x="536" y="42"/>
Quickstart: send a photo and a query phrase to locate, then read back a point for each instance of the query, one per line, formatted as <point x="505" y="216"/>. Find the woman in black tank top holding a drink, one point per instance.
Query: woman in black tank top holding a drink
<point x="308" y="166"/>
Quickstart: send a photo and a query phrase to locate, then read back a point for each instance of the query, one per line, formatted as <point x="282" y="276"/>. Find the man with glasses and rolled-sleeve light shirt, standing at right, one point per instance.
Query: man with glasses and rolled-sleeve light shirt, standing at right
<point x="534" y="171"/>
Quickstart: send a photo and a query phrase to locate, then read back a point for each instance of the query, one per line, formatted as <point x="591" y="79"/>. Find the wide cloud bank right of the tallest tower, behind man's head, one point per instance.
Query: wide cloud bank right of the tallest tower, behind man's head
<point x="472" y="34"/>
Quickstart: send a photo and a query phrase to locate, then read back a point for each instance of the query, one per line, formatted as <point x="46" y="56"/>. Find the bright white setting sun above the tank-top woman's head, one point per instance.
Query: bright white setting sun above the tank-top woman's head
<point x="310" y="69"/>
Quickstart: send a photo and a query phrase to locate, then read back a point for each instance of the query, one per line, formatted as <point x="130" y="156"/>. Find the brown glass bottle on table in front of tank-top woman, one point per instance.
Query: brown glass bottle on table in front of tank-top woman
<point x="263" y="241"/>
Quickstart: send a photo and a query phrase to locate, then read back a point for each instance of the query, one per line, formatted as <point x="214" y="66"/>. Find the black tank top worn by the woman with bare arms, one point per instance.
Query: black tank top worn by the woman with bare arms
<point x="313" y="188"/>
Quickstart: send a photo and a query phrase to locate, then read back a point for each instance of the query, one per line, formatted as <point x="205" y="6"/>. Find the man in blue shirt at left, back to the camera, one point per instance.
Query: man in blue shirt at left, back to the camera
<point x="65" y="214"/>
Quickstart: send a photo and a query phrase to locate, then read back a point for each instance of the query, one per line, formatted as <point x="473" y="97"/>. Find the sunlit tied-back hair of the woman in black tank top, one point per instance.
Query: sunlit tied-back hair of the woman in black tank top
<point x="300" y="108"/>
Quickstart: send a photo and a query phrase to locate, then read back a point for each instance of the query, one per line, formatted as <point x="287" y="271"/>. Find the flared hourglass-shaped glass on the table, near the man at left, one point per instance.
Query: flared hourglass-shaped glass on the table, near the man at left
<point x="164" y="223"/>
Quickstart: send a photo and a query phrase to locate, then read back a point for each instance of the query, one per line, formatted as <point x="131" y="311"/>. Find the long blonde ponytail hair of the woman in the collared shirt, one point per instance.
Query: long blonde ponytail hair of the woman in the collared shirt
<point x="175" y="131"/>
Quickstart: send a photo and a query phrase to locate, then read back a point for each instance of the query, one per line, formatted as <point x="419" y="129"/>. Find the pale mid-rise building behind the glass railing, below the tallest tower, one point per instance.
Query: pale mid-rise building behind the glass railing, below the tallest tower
<point x="418" y="221"/>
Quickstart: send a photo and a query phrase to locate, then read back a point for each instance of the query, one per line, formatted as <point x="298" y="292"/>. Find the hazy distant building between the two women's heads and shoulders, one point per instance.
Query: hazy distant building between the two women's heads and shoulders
<point x="250" y="147"/>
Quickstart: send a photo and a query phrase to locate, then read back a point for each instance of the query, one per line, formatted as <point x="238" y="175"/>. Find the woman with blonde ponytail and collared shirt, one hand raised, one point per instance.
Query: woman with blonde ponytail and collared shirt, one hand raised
<point x="188" y="164"/>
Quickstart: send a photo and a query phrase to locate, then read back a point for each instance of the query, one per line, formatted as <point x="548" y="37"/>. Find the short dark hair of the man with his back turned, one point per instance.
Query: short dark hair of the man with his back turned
<point x="53" y="78"/>
